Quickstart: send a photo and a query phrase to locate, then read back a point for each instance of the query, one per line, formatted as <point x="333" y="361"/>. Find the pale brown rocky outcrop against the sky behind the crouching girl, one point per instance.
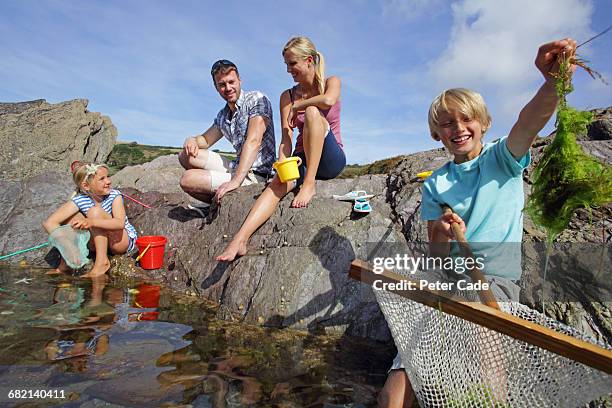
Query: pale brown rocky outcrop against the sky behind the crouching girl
<point x="38" y="137"/>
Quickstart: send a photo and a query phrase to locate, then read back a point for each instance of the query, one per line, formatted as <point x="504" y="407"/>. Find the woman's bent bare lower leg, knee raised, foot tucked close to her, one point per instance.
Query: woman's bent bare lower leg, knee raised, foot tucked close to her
<point x="315" y="128"/>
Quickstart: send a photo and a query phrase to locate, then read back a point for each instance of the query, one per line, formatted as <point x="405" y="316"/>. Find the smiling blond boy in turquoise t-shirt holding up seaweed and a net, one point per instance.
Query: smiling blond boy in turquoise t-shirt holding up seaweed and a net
<point x="483" y="185"/>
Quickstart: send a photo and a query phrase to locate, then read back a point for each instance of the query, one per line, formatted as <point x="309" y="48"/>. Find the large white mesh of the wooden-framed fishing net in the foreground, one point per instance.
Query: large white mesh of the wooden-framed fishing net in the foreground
<point x="455" y="363"/>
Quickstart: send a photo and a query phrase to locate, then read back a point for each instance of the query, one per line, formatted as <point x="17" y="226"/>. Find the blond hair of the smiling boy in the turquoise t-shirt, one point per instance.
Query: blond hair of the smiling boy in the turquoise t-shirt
<point x="466" y="101"/>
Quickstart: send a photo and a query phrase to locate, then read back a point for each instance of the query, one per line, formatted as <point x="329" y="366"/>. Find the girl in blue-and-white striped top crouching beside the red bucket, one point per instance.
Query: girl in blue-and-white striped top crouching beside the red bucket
<point x="99" y="208"/>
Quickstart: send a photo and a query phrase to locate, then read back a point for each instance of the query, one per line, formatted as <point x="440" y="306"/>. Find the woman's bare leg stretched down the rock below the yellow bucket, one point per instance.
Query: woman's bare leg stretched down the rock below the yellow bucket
<point x="262" y="210"/>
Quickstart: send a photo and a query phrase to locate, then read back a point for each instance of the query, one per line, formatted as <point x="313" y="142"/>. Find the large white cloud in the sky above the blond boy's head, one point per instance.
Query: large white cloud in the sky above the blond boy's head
<point x="493" y="44"/>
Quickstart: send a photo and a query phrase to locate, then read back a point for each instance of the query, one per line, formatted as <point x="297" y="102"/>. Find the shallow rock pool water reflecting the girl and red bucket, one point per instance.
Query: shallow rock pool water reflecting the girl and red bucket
<point x="94" y="344"/>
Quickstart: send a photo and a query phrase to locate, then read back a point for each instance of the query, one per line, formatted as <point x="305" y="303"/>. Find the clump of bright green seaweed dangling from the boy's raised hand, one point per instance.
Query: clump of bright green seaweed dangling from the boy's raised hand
<point x="566" y="178"/>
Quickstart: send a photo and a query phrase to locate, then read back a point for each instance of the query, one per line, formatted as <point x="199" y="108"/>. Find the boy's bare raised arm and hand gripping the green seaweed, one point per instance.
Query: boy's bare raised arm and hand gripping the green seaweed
<point x="540" y="108"/>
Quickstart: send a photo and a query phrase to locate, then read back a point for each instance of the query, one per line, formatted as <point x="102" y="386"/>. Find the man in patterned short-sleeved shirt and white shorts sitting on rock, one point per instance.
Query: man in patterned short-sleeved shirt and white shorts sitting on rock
<point x="246" y="121"/>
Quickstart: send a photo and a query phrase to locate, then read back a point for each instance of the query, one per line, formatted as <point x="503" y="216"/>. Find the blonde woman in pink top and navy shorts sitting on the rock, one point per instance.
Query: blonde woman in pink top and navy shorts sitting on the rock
<point x="313" y="106"/>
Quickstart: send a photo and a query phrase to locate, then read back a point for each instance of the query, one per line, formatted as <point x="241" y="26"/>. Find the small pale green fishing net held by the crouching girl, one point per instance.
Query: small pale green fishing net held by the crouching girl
<point x="72" y="245"/>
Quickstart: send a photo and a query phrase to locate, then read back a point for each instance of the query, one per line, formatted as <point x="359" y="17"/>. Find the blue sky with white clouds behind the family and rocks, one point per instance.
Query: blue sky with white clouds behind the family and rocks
<point x="146" y="63"/>
